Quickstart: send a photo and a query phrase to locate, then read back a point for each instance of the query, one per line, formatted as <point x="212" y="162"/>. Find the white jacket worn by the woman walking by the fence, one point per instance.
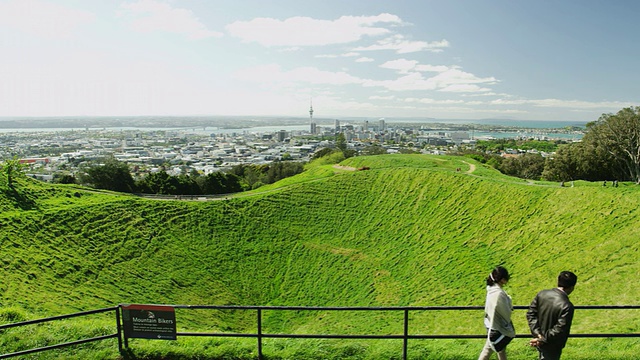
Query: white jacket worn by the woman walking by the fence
<point x="497" y="310"/>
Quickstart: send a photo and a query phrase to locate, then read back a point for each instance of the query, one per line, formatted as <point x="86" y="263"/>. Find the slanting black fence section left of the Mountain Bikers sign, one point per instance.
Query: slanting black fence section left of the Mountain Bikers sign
<point x="115" y="309"/>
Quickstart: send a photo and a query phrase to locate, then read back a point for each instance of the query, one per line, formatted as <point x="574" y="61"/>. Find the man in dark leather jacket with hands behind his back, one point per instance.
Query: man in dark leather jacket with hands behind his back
<point x="550" y="315"/>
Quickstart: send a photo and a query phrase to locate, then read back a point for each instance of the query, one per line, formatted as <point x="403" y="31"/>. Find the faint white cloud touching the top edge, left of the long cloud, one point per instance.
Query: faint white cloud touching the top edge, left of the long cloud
<point x="151" y="15"/>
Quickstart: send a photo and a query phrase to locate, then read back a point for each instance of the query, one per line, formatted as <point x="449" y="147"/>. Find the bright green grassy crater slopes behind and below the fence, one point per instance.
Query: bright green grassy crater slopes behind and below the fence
<point x="413" y="230"/>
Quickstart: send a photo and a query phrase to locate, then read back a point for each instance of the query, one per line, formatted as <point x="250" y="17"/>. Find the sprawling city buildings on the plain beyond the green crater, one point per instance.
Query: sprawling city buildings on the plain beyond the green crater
<point x="185" y="151"/>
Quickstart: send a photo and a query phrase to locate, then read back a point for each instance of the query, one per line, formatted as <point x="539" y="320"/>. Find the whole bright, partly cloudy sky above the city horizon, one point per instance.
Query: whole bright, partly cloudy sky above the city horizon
<point x="535" y="60"/>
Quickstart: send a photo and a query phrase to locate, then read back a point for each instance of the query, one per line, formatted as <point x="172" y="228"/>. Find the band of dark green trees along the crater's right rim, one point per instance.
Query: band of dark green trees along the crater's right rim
<point x="609" y="151"/>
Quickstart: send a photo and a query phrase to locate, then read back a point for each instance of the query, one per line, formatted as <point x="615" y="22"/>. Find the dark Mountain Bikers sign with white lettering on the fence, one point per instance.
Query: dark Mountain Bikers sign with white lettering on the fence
<point x="149" y="321"/>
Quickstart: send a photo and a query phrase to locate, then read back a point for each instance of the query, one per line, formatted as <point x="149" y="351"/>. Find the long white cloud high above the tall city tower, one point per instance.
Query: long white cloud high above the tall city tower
<point x="306" y="31"/>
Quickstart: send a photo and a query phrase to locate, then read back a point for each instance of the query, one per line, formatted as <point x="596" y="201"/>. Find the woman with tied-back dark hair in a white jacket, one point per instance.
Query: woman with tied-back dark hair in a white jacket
<point x="497" y="316"/>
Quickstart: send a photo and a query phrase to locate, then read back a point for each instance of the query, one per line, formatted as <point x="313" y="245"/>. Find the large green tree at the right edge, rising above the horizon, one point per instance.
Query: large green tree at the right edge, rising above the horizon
<point x="619" y="136"/>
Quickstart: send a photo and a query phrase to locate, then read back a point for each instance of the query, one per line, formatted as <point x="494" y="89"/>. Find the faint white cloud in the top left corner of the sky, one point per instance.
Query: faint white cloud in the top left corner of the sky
<point x="44" y="19"/>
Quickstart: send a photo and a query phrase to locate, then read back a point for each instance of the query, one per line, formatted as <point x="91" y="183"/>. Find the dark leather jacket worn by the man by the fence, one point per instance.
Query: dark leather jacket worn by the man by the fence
<point x="550" y="315"/>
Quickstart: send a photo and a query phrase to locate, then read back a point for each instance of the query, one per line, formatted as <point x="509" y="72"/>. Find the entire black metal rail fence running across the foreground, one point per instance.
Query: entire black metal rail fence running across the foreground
<point x="260" y="335"/>
